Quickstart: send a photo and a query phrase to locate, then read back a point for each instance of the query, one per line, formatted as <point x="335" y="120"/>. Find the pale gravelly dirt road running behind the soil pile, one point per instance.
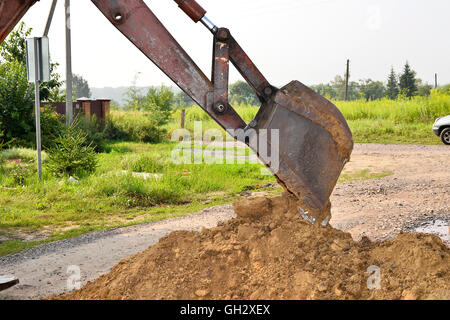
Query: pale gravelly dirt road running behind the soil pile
<point x="415" y="198"/>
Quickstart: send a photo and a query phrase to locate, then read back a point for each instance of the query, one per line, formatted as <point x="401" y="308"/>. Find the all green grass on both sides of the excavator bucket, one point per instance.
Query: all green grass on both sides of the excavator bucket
<point x="117" y="194"/>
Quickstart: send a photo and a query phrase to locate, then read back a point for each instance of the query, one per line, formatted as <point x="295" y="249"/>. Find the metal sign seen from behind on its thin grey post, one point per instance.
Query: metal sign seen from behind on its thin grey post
<point x="38" y="69"/>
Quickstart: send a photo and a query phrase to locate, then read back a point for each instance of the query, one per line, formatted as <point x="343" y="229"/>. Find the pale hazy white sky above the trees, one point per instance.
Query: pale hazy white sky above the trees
<point x="305" y="40"/>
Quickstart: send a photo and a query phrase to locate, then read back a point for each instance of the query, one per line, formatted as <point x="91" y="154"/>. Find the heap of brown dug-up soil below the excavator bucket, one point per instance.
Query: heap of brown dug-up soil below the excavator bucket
<point x="270" y="252"/>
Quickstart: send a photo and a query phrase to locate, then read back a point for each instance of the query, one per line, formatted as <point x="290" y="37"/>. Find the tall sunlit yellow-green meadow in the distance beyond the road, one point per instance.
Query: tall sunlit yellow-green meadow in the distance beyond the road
<point x="382" y="121"/>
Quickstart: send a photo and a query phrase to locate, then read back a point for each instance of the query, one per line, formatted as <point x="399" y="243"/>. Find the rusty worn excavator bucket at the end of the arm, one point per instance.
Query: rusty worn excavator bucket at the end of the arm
<point x="313" y="144"/>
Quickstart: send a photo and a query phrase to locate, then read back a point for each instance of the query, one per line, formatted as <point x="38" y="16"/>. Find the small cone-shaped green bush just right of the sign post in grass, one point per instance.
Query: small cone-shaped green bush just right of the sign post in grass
<point x="72" y="155"/>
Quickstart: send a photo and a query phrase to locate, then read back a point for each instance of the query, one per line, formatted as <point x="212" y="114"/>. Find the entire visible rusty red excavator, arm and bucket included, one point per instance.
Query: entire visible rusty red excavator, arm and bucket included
<point x="312" y="141"/>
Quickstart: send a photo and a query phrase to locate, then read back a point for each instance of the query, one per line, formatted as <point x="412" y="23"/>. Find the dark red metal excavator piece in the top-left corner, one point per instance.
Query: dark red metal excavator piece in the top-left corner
<point x="11" y="11"/>
